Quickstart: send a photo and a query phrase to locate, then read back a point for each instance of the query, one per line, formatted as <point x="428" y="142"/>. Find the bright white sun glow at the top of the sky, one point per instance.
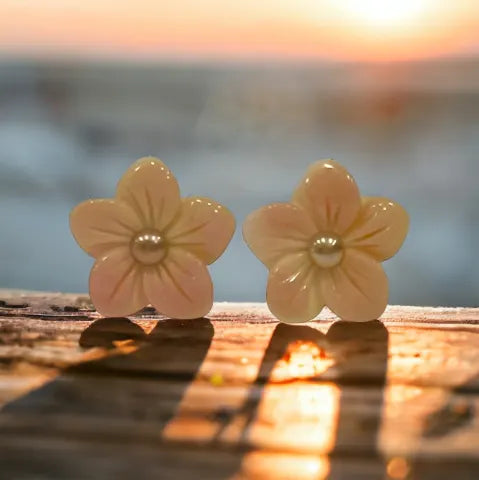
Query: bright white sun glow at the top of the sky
<point x="385" y="13"/>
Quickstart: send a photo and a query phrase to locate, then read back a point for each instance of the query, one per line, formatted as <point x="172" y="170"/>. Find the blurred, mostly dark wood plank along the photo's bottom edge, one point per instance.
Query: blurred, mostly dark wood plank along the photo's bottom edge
<point x="74" y="459"/>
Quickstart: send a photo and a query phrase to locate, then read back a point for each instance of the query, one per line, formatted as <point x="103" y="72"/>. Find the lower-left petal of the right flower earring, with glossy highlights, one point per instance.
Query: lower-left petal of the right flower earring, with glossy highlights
<point x="293" y="293"/>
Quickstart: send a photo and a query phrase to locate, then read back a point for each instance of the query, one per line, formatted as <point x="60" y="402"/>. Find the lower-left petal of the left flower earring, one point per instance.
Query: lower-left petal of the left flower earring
<point x="116" y="288"/>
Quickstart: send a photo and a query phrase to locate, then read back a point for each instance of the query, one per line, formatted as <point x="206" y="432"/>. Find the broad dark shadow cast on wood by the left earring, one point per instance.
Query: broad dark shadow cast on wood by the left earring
<point x="129" y="395"/>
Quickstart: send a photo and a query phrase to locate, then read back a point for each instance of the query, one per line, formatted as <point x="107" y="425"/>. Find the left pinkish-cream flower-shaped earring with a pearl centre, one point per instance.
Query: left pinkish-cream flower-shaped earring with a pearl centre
<point x="152" y="247"/>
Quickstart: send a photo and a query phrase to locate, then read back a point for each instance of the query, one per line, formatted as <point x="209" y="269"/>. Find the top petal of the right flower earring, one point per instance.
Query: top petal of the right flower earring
<point x="330" y="195"/>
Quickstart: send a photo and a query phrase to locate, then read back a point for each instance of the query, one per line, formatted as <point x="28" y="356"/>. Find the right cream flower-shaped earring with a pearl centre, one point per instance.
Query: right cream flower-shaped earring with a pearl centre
<point x="325" y="248"/>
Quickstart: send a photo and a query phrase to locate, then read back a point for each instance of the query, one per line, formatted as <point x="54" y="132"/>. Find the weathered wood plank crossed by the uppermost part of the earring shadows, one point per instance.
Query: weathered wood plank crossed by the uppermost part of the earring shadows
<point x="346" y="352"/>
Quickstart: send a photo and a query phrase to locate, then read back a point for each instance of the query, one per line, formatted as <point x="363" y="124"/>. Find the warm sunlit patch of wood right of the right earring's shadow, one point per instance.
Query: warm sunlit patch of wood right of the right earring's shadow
<point x="407" y="407"/>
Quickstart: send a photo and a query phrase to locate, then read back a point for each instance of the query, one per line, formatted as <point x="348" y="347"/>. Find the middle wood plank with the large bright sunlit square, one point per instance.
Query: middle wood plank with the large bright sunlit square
<point x="300" y="418"/>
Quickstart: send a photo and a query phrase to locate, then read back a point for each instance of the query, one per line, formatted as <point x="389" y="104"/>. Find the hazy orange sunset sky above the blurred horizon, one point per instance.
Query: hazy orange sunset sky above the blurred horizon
<point x="337" y="29"/>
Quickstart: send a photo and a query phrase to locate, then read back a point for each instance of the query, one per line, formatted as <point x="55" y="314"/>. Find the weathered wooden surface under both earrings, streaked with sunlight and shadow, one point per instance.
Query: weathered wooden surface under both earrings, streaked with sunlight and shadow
<point x="235" y="396"/>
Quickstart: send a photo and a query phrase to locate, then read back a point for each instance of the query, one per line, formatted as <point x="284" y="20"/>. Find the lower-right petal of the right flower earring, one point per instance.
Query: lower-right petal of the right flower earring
<point x="356" y="290"/>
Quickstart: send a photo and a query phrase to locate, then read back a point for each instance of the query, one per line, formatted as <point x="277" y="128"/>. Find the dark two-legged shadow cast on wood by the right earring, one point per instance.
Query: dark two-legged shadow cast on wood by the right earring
<point x="360" y="351"/>
